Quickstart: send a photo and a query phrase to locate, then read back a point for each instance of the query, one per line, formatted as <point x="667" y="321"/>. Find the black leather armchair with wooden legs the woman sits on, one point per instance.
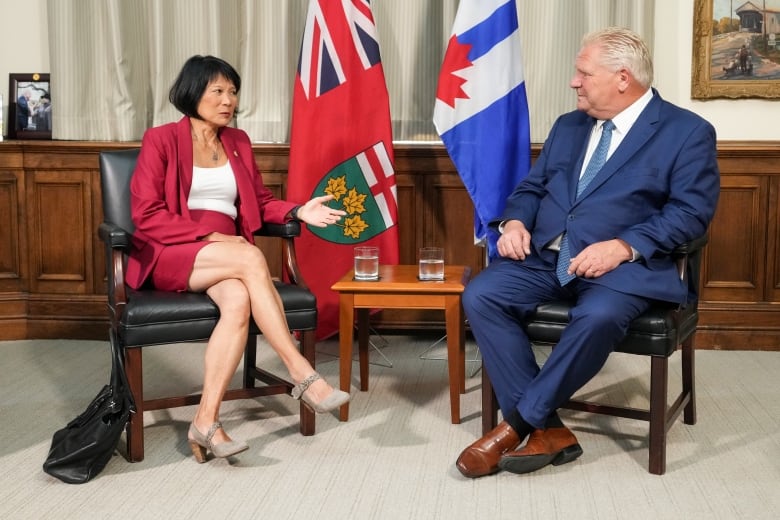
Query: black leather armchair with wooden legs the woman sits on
<point x="146" y="317"/>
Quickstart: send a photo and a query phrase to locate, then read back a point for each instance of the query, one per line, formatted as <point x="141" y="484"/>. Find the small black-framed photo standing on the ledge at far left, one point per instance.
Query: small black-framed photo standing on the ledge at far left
<point x="29" y="106"/>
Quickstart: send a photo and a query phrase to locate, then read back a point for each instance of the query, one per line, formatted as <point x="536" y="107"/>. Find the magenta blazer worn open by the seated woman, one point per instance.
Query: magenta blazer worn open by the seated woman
<point x="160" y="187"/>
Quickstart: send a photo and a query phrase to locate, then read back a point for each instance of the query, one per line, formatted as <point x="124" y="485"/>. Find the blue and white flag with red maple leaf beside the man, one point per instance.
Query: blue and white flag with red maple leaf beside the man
<point x="481" y="110"/>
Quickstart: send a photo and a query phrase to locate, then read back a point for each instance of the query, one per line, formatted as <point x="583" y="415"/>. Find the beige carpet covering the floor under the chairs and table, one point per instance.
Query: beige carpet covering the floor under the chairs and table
<point x="394" y="458"/>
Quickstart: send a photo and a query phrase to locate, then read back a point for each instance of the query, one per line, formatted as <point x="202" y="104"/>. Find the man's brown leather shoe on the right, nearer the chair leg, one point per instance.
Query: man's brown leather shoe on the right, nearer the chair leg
<point x="554" y="446"/>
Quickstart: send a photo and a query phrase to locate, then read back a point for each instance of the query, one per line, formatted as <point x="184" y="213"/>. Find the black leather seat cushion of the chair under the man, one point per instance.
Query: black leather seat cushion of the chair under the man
<point x="657" y="332"/>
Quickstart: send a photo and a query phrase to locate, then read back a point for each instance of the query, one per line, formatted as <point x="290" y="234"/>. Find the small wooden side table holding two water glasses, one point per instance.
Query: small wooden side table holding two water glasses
<point x="399" y="288"/>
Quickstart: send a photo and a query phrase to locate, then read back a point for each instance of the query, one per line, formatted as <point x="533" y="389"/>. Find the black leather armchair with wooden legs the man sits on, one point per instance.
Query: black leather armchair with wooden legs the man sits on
<point x="657" y="333"/>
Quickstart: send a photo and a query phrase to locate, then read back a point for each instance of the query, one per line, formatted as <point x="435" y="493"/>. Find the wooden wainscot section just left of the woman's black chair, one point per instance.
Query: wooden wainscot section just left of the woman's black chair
<point x="65" y="264"/>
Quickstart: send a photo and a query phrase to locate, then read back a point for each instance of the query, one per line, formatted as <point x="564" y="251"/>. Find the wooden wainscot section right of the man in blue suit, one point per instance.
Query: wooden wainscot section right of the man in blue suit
<point x="738" y="308"/>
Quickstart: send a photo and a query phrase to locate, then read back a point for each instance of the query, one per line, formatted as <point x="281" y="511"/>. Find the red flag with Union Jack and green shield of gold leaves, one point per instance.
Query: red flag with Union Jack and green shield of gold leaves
<point x="341" y="144"/>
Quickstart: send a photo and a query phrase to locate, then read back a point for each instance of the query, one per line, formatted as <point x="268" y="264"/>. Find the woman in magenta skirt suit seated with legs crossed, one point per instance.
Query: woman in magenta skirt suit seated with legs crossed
<point x="197" y="196"/>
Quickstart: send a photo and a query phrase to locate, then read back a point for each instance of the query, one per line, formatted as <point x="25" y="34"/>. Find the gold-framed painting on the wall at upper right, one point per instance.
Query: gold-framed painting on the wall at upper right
<point x="736" y="52"/>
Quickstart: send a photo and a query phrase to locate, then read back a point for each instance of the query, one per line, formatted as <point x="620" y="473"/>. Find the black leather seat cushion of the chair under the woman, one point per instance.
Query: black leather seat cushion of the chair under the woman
<point x="159" y="317"/>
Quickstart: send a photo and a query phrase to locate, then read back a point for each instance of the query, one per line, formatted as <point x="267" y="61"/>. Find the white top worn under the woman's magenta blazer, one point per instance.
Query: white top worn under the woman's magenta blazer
<point x="214" y="189"/>
